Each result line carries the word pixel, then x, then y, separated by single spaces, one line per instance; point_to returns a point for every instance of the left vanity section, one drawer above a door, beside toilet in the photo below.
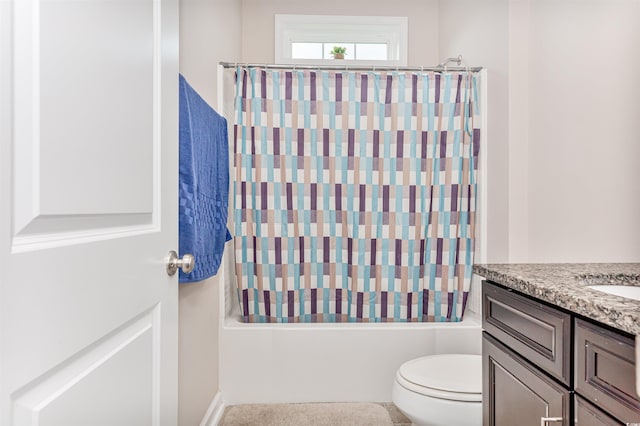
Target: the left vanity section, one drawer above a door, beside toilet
pixel 524 343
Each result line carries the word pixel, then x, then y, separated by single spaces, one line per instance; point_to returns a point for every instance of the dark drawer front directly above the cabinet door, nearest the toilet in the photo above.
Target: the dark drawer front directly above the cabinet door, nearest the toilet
pixel 537 332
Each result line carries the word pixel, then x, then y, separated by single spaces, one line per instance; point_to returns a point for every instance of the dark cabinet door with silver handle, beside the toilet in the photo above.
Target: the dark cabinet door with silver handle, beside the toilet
pixel 516 393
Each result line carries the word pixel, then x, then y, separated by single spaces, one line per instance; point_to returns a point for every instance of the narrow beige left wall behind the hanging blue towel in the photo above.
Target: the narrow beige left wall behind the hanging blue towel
pixel 210 32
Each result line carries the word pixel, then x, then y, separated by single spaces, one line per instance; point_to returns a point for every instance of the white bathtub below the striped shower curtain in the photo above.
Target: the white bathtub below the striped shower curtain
pixel 269 363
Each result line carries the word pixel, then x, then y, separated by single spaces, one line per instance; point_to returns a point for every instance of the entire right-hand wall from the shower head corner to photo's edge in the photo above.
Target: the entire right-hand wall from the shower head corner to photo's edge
pixel 563 124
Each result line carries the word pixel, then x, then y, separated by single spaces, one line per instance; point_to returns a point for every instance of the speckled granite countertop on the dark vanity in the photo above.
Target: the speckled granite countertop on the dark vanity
pixel 565 285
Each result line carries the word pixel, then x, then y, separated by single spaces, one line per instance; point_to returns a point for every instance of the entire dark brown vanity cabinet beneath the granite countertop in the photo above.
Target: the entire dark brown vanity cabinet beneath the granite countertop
pixel 545 366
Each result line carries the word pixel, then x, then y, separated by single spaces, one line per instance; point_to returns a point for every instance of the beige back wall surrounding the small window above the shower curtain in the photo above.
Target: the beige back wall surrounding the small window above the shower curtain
pixel 258 23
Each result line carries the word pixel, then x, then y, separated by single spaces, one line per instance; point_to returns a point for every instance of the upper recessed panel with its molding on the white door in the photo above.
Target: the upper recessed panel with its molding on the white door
pixel 65 172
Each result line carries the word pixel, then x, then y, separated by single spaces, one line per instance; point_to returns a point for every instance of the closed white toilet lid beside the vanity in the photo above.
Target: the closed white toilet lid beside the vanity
pixel 456 373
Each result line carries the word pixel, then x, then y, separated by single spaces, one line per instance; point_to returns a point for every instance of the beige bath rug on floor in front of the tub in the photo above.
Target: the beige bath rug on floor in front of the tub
pixel 317 414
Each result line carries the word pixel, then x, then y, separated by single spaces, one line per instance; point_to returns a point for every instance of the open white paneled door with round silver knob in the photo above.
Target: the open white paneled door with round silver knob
pixel 88 212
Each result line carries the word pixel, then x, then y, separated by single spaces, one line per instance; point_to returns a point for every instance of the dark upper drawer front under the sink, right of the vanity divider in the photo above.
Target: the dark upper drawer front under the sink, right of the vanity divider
pixel 605 370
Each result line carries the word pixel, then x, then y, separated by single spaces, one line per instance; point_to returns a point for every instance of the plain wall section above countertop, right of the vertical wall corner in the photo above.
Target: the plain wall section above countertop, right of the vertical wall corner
pixel 584 123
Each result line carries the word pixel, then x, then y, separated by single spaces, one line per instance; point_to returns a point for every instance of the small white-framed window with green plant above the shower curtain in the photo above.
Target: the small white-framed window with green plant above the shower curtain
pixel 369 40
